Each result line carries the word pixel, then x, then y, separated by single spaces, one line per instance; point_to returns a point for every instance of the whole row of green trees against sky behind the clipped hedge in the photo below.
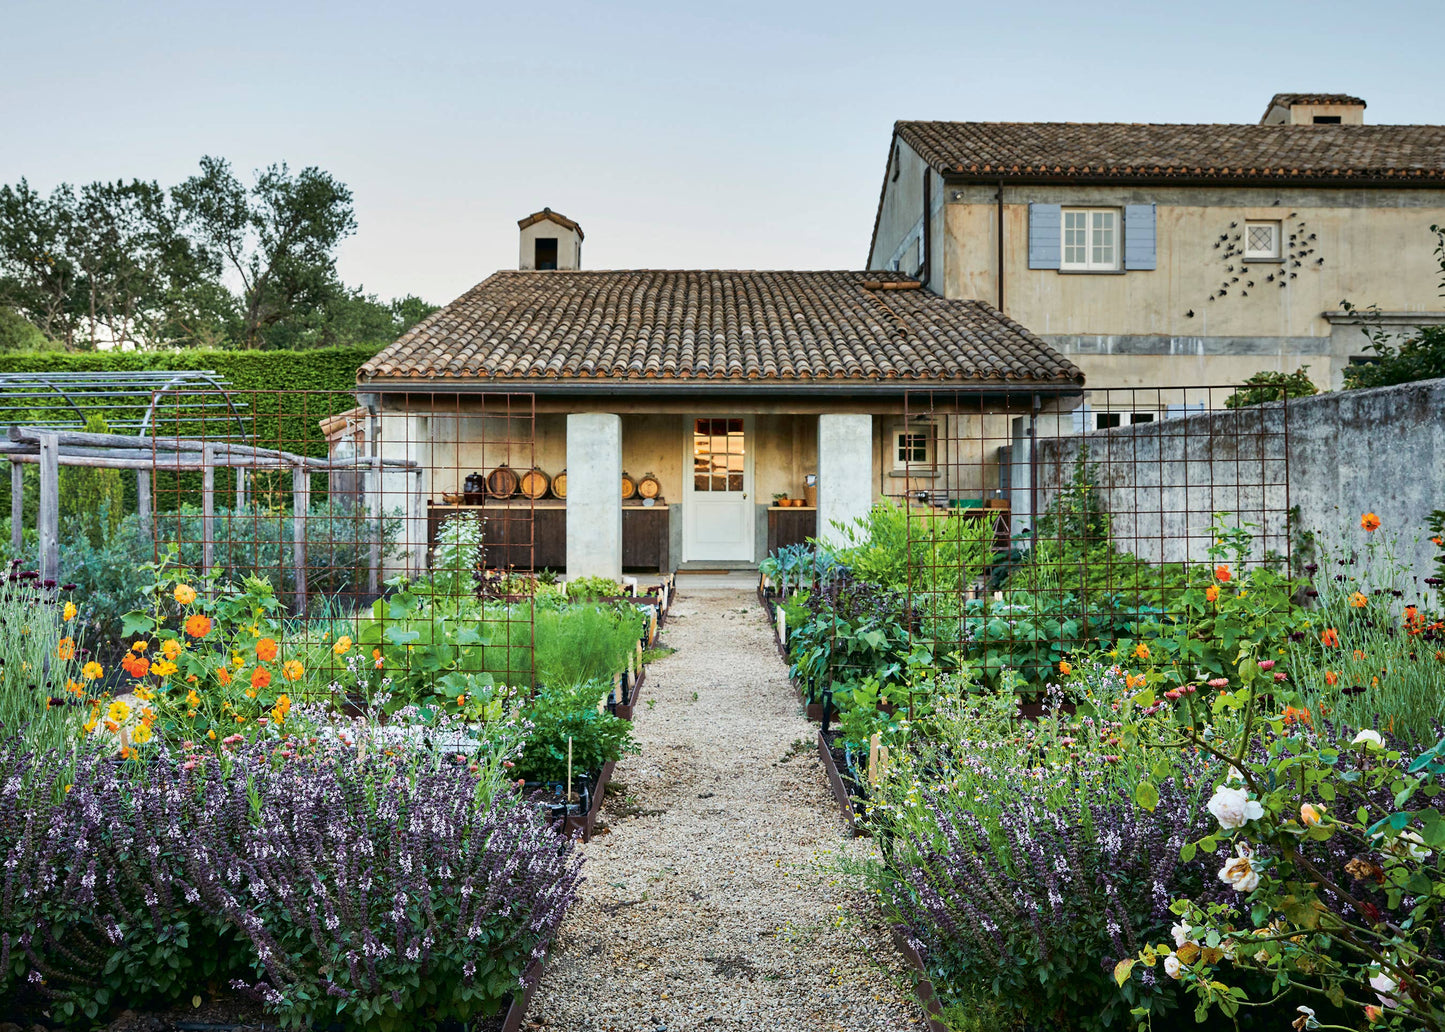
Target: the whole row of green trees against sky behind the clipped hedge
pixel 207 262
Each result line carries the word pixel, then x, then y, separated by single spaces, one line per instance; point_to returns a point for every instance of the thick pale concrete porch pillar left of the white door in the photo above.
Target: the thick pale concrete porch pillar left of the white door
pixel 595 495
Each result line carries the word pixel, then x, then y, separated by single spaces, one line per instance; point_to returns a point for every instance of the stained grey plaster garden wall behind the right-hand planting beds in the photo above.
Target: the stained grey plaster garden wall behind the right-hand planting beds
pixel 1349 453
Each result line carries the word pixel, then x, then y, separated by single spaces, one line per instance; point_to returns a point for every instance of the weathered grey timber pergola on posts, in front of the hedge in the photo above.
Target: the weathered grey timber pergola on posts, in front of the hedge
pixel 51 449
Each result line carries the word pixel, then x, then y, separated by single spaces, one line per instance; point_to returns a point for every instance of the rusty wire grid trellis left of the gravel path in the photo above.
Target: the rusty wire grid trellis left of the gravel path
pixel 392 573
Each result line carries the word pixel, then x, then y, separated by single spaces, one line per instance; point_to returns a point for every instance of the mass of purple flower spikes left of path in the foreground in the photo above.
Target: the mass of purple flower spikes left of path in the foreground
pixel 332 884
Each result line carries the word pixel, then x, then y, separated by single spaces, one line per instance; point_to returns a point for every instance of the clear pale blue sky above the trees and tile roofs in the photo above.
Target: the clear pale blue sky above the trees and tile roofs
pixel 725 135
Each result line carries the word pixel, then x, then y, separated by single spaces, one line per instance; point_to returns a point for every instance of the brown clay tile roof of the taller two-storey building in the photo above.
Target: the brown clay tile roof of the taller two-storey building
pixel 1158 152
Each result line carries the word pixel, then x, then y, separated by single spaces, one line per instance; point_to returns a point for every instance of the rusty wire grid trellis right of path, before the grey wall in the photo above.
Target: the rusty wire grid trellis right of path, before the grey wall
pixel 1043 528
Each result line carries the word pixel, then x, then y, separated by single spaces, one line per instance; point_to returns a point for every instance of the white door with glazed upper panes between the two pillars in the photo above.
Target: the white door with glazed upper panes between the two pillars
pixel 717 489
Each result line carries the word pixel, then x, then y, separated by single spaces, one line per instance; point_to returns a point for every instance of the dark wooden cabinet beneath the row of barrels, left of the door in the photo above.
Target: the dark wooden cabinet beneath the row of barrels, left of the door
pixel 532 536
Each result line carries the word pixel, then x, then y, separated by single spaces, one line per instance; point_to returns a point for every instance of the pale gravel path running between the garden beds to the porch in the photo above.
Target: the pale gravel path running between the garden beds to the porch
pixel 707 903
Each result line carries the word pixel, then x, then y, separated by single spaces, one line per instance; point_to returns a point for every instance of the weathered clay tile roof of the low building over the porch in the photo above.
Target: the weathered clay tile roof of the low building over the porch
pixel 759 327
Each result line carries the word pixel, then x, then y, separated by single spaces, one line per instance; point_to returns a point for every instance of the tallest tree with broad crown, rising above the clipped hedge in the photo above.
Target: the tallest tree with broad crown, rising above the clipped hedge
pixel 280 238
